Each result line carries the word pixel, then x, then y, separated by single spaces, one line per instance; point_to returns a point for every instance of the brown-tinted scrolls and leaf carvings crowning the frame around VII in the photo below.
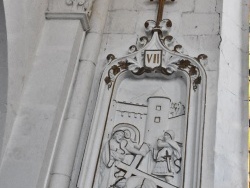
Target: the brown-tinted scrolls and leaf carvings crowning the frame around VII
pixel 169 43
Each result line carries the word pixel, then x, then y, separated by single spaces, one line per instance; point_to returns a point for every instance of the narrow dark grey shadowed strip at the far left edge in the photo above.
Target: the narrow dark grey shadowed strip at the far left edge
pixel 3 74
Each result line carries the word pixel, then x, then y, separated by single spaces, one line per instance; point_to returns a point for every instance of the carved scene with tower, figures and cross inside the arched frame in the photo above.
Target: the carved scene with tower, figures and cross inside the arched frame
pixel 143 136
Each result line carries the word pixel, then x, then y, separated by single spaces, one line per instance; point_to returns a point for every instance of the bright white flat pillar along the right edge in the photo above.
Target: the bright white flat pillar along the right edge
pixel 232 112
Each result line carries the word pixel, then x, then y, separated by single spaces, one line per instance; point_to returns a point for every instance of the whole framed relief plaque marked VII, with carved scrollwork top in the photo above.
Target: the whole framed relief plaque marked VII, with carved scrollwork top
pixel 147 129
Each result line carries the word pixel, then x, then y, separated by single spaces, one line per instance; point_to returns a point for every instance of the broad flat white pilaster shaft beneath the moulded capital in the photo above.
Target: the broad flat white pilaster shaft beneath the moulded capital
pixel 42 104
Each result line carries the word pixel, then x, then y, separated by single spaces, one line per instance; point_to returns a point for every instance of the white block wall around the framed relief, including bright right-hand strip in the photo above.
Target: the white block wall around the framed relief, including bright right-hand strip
pixel 219 30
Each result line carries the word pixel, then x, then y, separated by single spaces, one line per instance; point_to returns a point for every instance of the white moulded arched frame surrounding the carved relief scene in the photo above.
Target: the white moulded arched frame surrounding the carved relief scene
pixel 181 65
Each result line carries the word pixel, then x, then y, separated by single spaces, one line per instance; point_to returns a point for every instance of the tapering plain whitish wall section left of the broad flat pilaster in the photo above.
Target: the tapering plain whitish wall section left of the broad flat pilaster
pixel 24 22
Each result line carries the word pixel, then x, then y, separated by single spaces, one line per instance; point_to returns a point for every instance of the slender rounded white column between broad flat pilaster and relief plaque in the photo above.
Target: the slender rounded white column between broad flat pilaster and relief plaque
pixel 67 144
